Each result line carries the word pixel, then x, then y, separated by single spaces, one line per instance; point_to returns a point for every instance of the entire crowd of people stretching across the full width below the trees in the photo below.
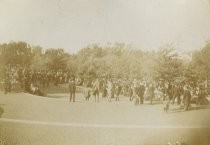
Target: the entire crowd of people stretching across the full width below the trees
pixel 137 90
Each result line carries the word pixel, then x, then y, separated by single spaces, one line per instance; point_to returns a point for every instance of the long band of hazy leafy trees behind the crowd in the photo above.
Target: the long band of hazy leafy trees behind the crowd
pixel 117 60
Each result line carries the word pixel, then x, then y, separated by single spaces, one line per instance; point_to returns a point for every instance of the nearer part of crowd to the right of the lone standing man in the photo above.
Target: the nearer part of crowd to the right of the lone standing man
pixel 139 90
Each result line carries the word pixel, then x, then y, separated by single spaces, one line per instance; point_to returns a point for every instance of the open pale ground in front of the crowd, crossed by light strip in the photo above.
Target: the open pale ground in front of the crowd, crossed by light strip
pixel 32 120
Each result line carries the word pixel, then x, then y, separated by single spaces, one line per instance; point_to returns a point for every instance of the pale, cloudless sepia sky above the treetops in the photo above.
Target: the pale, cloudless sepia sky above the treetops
pixel 74 24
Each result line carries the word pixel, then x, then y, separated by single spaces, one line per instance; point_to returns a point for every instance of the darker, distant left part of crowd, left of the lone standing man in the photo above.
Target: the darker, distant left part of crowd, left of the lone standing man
pixel 30 80
